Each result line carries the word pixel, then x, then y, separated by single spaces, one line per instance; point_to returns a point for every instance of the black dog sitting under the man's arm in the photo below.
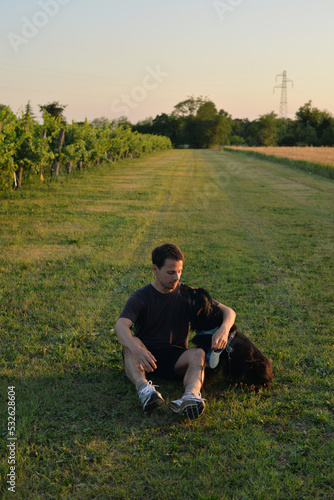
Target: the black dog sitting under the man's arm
pixel 241 361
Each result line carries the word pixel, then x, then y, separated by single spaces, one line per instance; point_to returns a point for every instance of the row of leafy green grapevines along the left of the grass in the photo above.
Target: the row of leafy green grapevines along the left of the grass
pixel 28 148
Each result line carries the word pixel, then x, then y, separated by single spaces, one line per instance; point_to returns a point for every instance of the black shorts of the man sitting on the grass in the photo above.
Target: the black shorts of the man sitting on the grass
pixel 167 358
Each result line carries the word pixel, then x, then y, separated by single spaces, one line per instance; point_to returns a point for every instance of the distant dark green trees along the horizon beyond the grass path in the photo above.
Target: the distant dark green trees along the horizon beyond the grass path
pixel 196 123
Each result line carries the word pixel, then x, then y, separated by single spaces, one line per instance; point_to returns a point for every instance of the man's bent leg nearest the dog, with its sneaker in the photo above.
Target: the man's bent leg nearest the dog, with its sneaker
pixel 191 365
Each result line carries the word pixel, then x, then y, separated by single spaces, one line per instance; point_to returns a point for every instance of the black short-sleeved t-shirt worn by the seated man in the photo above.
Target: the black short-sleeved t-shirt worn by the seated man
pixel 160 319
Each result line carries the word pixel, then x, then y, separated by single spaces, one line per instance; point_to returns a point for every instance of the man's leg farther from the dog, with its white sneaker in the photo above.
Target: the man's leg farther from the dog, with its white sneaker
pixel 150 398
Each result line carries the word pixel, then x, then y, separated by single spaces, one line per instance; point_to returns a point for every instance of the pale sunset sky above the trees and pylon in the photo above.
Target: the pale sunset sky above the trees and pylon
pixel 139 58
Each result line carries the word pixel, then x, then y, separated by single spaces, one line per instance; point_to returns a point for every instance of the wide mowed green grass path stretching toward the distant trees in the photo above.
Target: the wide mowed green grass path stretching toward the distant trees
pixel 259 237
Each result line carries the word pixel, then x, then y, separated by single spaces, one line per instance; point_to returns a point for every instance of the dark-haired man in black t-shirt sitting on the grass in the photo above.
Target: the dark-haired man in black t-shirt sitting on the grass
pixel 160 342
